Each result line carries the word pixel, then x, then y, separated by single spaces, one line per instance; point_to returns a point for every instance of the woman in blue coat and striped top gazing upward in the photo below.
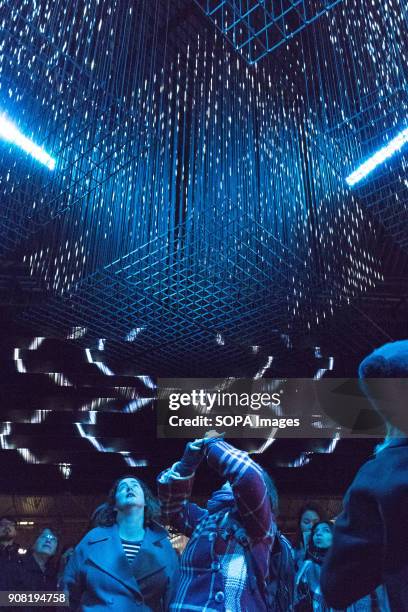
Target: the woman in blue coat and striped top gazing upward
pixel 126 562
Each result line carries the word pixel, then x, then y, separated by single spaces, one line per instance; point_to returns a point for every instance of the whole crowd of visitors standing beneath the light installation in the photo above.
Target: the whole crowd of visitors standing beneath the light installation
pixel 236 558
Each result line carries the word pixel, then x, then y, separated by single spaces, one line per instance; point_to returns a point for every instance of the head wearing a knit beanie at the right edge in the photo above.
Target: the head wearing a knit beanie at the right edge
pixel 388 397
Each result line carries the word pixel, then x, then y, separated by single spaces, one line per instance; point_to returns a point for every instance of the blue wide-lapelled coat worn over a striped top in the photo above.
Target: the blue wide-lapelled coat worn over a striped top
pixel 99 577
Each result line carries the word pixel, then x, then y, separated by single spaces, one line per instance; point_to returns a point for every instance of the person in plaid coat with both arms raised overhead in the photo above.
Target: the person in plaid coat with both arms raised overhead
pixel 215 575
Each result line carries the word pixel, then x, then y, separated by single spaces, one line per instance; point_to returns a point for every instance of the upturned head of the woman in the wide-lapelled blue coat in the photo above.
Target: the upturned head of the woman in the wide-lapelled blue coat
pixel 127 493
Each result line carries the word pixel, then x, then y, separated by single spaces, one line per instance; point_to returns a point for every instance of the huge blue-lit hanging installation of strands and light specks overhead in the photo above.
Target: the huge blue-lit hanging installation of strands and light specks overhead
pixel 189 181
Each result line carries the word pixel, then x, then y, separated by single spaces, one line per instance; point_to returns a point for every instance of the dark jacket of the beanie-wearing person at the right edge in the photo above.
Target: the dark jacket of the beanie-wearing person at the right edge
pixel 370 545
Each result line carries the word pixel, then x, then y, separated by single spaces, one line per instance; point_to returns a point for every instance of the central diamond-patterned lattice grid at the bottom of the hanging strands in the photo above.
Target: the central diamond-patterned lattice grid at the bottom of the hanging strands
pixel 219 294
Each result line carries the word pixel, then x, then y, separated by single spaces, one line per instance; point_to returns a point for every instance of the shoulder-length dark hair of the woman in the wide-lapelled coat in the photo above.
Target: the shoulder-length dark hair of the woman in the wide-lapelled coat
pixel 105 514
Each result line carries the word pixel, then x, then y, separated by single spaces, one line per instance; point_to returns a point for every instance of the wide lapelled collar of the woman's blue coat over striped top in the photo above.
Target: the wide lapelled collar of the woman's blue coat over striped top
pixel 106 552
